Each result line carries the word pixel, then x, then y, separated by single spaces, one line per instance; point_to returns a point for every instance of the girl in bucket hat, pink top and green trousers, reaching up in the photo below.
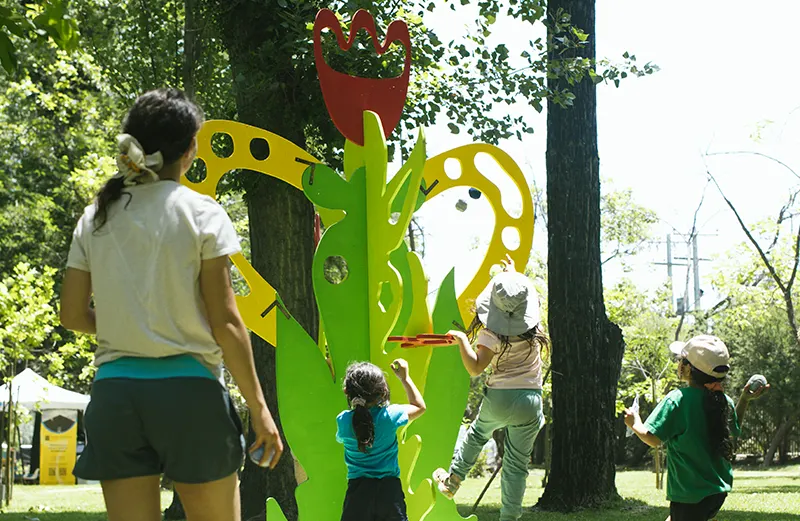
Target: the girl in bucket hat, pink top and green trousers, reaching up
pixel 510 338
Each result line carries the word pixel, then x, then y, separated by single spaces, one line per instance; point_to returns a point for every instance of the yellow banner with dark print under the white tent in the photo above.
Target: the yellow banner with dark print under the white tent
pixel 59 439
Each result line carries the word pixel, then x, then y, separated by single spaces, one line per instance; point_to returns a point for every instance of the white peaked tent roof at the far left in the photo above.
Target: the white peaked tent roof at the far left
pixel 34 392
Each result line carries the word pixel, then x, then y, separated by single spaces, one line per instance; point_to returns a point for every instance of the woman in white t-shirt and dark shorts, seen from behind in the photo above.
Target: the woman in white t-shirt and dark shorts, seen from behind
pixel 152 255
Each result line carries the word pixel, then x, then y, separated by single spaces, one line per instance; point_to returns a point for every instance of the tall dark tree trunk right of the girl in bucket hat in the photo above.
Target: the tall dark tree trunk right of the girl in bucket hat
pixel 587 347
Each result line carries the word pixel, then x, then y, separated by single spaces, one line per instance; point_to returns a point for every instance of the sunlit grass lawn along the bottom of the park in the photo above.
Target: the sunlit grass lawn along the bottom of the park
pixel 757 496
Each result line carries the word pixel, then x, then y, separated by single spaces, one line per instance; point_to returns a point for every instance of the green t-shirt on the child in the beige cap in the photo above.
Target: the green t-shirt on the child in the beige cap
pixel 693 472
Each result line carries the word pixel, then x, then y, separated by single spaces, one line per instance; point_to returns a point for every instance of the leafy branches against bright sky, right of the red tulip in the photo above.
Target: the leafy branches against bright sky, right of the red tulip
pixel 480 84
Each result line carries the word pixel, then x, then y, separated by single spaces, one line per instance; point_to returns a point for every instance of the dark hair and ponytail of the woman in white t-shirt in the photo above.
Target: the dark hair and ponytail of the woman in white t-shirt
pixel 162 120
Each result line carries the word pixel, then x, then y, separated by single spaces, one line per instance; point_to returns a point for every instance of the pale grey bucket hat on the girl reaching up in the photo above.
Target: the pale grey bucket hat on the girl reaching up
pixel 509 305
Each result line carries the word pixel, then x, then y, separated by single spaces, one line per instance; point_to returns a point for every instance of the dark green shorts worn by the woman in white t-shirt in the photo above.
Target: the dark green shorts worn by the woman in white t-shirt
pixel 185 428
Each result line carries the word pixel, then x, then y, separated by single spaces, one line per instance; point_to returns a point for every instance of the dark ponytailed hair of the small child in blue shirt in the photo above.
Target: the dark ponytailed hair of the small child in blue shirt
pixel 365 387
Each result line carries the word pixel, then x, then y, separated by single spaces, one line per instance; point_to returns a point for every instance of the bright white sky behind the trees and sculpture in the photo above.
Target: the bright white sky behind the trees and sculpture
pixel 727 74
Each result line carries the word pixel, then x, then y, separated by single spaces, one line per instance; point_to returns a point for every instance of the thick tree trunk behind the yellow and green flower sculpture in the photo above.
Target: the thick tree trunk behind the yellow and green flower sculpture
pixel 281 218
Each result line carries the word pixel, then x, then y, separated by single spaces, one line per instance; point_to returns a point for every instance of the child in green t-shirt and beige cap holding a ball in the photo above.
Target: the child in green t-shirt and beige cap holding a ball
pixel 696 423
